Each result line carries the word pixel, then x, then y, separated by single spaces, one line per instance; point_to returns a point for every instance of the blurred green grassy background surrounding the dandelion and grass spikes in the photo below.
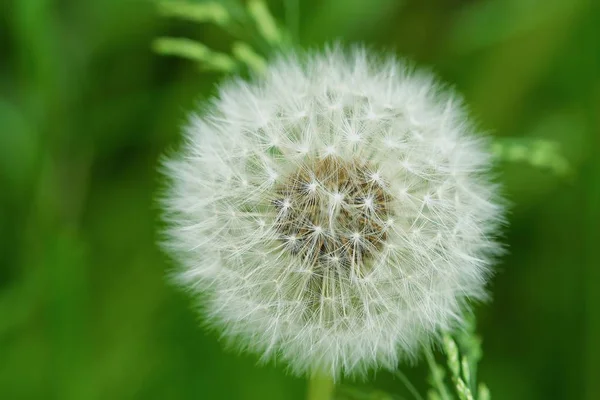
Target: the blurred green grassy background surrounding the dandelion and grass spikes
pixel 86 110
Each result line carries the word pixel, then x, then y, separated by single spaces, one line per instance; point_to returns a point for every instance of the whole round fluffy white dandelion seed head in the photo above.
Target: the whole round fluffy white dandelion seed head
pixel 335 213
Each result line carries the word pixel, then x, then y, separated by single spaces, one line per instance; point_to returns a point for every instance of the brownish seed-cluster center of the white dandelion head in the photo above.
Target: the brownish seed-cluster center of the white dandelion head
pixel 331 210
